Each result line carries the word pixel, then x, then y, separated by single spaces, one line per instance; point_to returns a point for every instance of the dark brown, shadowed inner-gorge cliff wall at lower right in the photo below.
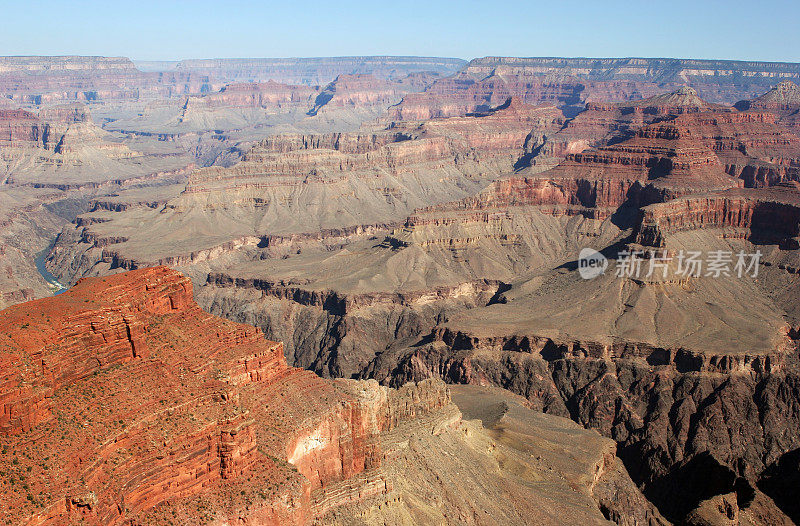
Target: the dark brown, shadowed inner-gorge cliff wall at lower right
pixel 685 436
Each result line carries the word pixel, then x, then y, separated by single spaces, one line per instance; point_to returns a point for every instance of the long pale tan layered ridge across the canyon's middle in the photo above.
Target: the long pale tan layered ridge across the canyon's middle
pixel 293 184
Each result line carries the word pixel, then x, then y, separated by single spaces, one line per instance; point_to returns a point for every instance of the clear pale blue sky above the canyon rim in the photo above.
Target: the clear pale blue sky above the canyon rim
pixel 147 30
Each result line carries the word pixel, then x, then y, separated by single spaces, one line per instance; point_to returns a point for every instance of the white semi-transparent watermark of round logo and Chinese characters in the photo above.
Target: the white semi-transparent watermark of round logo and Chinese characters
pixel 683 264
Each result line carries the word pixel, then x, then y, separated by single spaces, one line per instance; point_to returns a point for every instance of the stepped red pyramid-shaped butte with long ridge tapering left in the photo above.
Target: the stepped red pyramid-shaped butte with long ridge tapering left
pixel 657 164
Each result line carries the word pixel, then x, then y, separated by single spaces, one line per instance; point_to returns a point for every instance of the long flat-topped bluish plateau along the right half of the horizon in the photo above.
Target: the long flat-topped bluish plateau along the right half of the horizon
pixel 571 82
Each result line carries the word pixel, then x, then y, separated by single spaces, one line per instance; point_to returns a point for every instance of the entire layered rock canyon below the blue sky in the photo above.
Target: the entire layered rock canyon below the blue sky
pixel 410 231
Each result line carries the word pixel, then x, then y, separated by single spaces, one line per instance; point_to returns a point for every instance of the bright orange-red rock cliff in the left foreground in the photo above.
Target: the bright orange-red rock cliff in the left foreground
pixel 121 399
